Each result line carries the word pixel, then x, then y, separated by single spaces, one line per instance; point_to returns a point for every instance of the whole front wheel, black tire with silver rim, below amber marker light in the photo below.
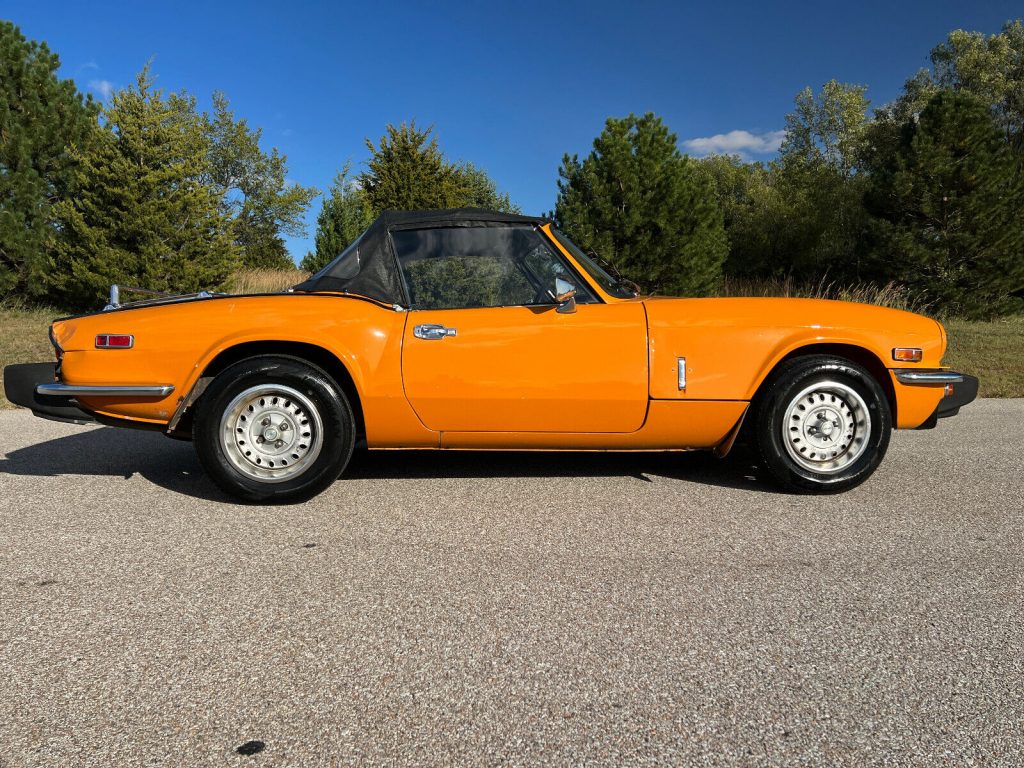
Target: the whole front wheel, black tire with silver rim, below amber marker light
pixel 829 412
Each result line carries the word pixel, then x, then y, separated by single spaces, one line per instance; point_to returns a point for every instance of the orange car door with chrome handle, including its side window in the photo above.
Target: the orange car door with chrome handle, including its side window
pixel 486 349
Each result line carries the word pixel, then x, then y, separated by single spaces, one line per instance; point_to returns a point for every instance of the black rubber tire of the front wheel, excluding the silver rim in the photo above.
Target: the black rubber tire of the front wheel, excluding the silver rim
pixel 773 410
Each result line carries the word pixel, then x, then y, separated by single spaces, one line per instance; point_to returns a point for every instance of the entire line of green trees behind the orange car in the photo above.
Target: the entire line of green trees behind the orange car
pixel 148 190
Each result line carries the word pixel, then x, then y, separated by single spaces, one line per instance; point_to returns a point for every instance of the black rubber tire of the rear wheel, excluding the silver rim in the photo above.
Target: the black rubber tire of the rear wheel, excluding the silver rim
pixel 336 417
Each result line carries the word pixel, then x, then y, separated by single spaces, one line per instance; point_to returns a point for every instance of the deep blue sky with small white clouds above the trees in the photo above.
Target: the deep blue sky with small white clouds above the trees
pixel 509 88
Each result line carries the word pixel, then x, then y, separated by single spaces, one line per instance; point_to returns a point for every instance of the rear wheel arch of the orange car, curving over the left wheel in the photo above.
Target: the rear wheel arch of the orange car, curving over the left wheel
pixel 324 359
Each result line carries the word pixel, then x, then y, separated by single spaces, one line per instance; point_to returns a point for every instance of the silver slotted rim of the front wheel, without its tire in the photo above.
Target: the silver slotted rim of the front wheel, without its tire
pixel 827 428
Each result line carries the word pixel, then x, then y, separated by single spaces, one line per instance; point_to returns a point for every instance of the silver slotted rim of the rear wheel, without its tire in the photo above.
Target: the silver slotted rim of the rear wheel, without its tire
pixel 272 434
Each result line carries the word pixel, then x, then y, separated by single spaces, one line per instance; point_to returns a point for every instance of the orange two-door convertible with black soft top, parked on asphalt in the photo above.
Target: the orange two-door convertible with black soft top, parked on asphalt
pixel 467 329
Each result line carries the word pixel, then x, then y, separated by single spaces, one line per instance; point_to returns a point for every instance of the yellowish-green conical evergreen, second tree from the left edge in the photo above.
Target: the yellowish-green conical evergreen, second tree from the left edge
pixel 142 212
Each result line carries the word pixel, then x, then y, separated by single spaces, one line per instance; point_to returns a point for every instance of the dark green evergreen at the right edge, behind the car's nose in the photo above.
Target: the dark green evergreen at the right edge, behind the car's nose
pixel 953 198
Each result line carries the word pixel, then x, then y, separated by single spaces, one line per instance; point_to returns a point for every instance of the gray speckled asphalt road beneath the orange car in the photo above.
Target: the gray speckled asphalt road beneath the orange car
pixel 501 609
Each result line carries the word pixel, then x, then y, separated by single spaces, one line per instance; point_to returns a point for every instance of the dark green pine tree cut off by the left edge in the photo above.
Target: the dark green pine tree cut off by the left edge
pixel 44 120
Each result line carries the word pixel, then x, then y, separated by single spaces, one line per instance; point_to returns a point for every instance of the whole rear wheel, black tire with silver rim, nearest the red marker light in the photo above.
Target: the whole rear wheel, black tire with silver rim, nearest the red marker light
pixel 296 404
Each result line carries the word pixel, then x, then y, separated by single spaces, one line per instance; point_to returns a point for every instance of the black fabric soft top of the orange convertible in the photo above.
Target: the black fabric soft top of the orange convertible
pixel 369 267
